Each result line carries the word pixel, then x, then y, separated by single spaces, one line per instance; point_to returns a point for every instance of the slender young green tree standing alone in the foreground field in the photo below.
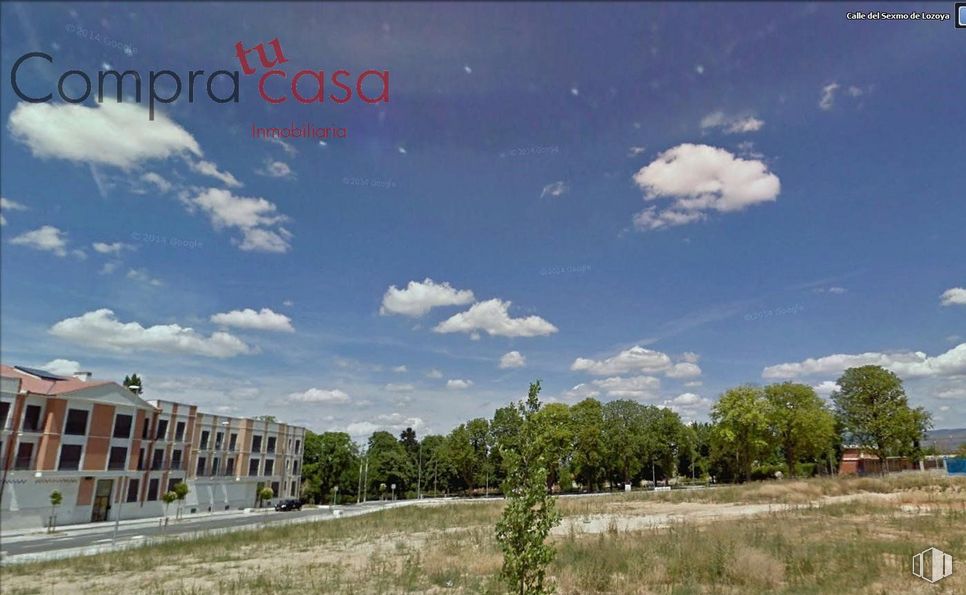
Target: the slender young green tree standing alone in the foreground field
pixel 530 512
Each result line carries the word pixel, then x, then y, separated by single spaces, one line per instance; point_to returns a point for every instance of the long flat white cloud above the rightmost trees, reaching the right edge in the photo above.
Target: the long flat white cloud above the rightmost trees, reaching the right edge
pixel 905 364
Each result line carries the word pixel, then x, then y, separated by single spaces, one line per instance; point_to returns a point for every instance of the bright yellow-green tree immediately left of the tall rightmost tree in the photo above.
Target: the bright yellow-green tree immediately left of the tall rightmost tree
pixel 801 423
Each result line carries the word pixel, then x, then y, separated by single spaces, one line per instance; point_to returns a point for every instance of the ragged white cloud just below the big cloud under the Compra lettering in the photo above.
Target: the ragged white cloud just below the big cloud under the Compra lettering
pixel 257 219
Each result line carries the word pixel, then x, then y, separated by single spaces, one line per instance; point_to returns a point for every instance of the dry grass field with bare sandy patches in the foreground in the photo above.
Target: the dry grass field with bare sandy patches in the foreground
pixel 813 536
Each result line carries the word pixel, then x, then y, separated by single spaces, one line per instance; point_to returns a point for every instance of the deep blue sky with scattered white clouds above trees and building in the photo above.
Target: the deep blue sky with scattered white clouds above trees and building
pixel 645 201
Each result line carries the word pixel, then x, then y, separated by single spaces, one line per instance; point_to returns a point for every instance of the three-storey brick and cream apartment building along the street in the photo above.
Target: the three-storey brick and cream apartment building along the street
pixel 112 454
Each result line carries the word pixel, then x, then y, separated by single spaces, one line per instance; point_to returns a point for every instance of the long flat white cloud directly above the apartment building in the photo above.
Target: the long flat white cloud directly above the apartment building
pixel 101 329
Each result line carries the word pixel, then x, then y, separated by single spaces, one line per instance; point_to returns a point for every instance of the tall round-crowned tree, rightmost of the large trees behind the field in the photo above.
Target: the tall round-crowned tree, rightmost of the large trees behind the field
pixel 873 411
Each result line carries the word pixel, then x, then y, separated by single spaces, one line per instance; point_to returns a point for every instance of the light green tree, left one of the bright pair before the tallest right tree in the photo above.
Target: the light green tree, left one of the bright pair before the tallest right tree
pixel 741 433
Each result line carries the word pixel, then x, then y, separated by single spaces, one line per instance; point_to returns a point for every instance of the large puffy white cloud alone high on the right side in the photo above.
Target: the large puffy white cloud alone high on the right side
pixel 701 178
